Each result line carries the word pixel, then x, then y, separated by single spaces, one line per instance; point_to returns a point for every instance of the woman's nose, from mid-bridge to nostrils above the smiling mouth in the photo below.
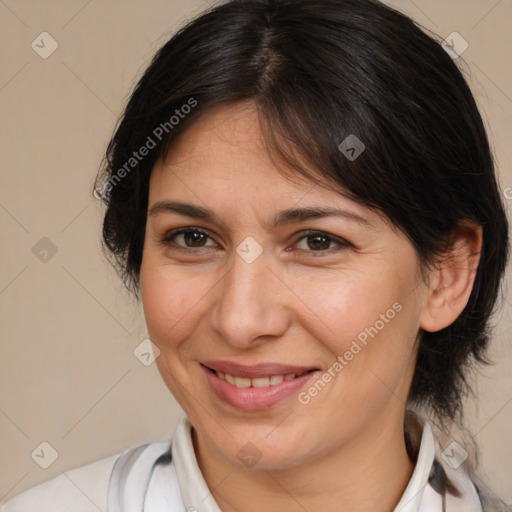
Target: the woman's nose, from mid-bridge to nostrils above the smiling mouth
pixel 250 304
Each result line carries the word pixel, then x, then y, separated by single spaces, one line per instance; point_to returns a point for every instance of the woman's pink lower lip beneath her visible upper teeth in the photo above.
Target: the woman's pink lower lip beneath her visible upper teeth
pixel 253 399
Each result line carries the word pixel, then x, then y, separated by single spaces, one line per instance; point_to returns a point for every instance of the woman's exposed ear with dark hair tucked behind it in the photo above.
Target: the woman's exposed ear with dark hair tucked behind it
pixel 451 282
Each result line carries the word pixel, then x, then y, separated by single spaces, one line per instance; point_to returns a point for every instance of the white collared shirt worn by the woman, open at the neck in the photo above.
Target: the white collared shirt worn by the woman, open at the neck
pixel 135 481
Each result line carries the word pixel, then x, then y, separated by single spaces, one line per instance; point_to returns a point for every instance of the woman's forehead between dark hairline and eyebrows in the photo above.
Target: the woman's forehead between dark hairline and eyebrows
pixel 222 162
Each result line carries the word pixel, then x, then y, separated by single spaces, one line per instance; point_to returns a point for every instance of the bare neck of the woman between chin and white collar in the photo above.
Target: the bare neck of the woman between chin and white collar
pixel 370 472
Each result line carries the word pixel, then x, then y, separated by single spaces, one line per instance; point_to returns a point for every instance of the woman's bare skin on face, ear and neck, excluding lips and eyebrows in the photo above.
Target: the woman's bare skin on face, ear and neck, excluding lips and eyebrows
pixel 295 304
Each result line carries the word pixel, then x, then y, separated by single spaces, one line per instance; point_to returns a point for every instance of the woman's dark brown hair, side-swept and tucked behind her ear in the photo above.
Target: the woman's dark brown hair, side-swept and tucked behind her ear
pixel 318 71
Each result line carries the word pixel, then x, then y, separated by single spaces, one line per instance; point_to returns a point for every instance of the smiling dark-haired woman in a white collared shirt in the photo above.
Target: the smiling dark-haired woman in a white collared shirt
pixel 303 196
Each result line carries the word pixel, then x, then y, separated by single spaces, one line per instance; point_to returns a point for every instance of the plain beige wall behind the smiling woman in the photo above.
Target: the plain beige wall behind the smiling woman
pixel 68 375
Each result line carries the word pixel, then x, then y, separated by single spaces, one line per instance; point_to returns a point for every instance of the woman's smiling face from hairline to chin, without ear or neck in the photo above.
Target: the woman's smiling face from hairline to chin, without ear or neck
pixel 260 277
